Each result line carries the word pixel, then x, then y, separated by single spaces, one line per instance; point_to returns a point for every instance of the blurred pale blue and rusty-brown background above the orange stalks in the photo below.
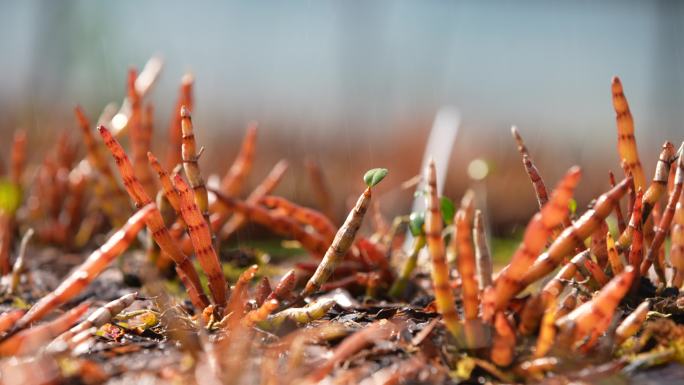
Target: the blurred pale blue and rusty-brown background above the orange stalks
pixel 356 84
